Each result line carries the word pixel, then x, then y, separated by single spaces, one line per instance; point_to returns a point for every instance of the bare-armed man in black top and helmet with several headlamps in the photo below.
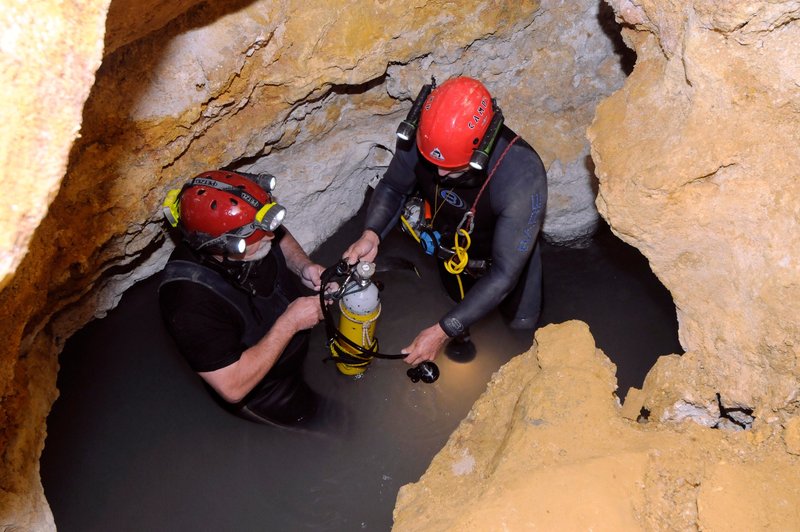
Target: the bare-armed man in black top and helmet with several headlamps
pixel 229 299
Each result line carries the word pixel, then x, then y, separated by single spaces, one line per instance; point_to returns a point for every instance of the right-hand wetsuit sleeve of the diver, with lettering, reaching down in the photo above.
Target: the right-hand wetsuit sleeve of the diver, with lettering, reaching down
pixel 518 197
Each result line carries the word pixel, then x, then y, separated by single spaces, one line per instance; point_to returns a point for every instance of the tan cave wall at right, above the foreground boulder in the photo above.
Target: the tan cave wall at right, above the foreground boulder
pixel 698 159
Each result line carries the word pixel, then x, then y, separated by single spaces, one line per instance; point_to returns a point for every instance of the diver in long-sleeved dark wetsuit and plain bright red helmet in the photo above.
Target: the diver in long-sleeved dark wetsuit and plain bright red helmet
pixel 500 207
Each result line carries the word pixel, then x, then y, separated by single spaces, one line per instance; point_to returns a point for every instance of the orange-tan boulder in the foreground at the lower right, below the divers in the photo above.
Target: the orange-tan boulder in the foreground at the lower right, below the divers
pixel 545 448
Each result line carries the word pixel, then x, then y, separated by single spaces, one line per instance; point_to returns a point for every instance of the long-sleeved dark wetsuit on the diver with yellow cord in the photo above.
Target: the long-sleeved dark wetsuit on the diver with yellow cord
pixel 509 216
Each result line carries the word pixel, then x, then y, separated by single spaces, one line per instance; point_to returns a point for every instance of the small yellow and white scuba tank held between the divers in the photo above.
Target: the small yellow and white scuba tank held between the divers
pixel 360 307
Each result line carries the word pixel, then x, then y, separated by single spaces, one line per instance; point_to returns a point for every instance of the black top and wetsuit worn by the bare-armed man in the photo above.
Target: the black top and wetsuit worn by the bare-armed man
pixel 216 311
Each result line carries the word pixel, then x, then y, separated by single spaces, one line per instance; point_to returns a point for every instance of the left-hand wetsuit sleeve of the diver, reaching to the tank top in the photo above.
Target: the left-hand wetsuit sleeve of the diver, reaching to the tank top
pixel 390 194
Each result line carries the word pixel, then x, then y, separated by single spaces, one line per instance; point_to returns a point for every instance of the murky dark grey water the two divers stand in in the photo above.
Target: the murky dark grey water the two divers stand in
pixel 135 442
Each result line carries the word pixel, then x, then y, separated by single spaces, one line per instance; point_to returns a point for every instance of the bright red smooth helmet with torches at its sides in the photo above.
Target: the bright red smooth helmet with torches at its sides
pixel 454 119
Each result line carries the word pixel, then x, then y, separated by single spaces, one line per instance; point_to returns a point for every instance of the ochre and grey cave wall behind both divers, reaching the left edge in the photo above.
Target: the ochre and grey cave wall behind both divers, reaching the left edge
pixel 309 91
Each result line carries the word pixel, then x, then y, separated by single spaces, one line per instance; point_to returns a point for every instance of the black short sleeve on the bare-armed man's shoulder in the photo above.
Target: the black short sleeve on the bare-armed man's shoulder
pixel 206 329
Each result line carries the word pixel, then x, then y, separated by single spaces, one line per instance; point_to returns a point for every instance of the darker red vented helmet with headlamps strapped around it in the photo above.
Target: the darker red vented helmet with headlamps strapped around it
pixel 220 209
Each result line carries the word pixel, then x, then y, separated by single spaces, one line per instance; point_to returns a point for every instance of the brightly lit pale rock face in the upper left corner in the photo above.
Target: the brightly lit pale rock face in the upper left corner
pixel 50 52
